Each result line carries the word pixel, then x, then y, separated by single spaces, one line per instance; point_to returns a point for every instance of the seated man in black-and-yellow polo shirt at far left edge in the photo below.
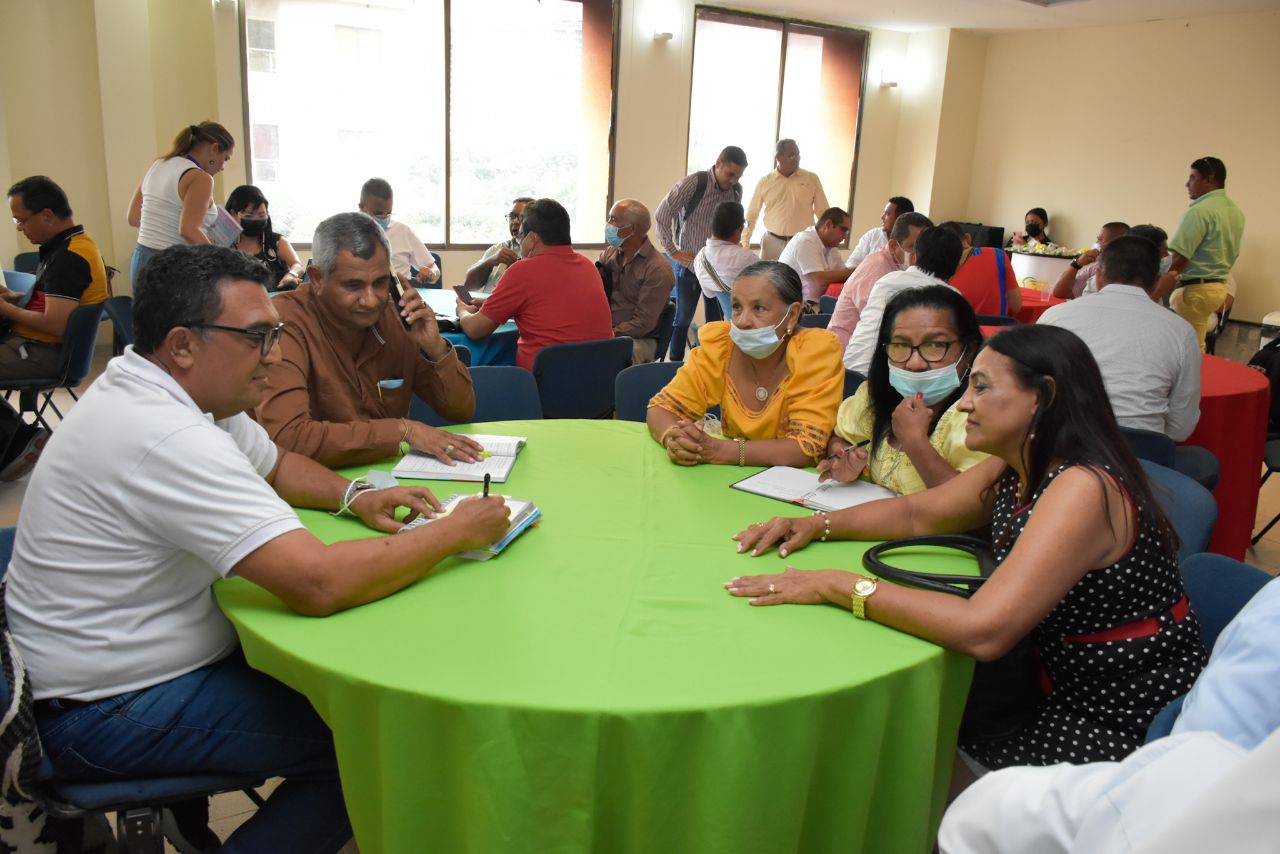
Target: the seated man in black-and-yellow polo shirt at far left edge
pixel 71 275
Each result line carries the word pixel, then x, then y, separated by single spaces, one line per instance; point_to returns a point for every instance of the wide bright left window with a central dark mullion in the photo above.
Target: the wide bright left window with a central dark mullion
pixel 451 120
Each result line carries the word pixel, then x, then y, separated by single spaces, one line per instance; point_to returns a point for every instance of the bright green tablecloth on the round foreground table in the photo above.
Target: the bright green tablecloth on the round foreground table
pixel 596 689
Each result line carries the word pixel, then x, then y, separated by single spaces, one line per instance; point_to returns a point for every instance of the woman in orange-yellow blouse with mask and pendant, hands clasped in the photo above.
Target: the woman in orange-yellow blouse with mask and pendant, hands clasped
pixel 778 385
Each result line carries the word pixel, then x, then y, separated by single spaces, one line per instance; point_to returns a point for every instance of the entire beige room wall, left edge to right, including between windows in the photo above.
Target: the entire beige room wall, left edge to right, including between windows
pixel 1110 139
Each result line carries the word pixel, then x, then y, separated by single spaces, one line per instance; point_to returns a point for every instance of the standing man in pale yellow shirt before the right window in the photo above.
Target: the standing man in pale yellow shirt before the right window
pixel 792 198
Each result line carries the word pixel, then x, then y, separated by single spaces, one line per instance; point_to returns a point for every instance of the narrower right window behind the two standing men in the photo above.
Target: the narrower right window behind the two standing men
pixel 761 80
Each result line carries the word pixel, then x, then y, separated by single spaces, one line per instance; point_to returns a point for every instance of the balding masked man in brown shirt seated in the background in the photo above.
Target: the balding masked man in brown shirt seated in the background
pixel 642 277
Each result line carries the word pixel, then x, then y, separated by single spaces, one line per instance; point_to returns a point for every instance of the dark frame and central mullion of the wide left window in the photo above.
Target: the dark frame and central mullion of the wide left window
pixel 447 22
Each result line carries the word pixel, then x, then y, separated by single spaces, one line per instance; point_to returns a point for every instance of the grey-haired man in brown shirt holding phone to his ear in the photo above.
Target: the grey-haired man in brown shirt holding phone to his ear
pixel 349 369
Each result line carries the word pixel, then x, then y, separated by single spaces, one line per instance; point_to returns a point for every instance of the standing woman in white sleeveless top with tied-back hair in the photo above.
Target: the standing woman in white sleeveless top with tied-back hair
pixel 176 198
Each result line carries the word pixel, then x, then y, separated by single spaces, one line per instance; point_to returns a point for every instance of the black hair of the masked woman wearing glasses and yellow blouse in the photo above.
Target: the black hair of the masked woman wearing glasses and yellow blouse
pixel 884 398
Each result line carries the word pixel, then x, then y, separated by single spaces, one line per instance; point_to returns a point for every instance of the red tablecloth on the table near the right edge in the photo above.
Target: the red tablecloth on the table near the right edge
pixel 1235 404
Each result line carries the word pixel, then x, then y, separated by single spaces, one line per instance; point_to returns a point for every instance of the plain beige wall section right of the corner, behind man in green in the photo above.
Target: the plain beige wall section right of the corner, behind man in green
pixel 1124 112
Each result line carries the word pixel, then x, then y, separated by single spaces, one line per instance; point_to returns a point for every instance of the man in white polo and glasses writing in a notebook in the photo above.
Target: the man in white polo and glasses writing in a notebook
pixel 157 486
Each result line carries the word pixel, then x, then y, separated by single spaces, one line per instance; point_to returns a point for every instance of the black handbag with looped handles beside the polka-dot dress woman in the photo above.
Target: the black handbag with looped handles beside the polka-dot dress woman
pixel 1005 692
